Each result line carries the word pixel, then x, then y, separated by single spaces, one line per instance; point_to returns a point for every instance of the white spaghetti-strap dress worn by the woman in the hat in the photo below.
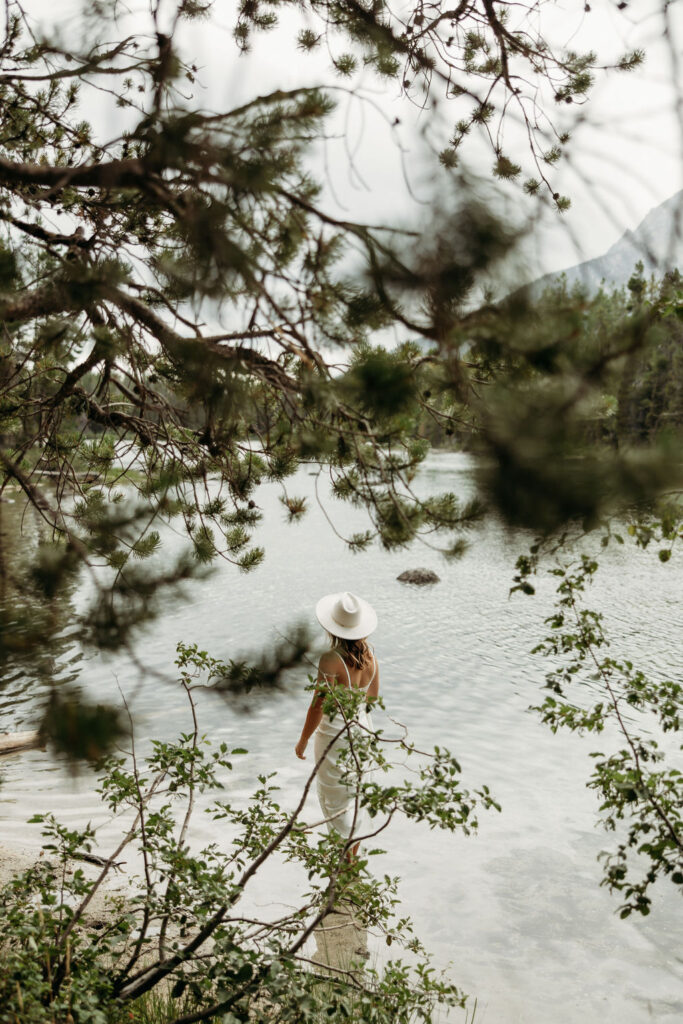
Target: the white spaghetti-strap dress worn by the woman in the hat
pixel 338 798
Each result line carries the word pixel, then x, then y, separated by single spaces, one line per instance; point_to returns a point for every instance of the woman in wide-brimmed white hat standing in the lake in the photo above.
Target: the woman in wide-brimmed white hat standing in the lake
pixel 351 663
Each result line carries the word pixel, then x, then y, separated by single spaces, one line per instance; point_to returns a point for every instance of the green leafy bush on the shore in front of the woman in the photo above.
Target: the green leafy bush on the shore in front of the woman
pixel 177 947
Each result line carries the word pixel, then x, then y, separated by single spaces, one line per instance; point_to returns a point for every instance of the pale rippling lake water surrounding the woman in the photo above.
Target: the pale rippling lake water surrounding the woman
pixel 517 912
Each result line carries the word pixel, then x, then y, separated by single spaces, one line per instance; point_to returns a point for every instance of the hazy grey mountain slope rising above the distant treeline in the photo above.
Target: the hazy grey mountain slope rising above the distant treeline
pixel 658 242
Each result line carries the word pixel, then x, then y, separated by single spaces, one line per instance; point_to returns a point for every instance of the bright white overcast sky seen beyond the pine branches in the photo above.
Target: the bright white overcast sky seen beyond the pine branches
pixel 626 158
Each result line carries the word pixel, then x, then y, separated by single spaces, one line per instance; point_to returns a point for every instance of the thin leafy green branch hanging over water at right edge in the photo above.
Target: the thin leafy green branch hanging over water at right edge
pixel 634 784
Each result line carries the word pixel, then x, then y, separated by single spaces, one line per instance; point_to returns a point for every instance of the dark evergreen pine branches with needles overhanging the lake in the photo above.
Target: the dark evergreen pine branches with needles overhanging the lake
pixel 120 410
